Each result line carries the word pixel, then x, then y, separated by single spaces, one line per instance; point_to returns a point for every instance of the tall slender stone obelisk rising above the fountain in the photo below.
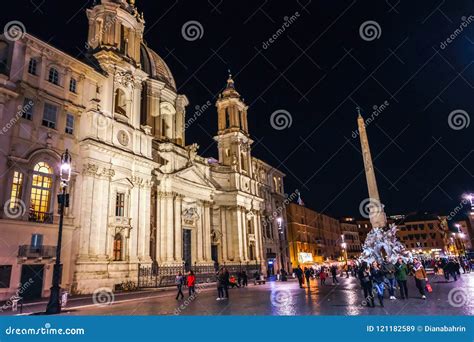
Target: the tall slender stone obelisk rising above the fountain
pixel 376 214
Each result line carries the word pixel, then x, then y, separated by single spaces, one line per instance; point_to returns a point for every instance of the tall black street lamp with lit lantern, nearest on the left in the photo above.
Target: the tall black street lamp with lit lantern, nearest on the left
pixel 54 304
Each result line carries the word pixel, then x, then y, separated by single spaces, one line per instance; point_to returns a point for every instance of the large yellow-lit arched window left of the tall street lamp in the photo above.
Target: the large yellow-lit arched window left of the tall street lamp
pixel 40 199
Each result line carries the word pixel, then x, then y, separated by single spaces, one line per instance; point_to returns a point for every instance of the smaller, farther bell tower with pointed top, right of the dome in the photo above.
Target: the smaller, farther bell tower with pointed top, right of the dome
pixel 232 136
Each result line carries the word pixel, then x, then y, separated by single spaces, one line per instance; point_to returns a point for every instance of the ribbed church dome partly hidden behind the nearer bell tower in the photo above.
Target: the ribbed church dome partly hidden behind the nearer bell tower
pixel 155 66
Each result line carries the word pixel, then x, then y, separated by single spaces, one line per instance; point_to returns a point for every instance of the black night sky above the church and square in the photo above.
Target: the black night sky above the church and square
pixel 318 70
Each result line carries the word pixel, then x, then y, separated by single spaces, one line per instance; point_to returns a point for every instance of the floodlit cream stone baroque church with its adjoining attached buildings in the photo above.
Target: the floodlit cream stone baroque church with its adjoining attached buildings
pixel 139 196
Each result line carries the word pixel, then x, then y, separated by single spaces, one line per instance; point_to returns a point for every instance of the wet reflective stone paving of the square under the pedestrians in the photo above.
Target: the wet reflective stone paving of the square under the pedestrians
pixel 286 298
